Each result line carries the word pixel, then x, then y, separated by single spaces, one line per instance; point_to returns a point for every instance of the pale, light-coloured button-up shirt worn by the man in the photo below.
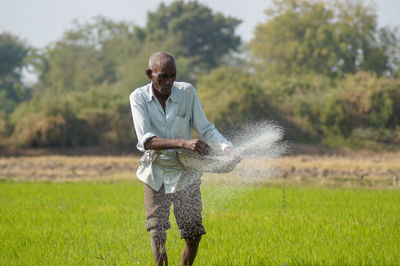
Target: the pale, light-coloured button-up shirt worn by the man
pixel 182 113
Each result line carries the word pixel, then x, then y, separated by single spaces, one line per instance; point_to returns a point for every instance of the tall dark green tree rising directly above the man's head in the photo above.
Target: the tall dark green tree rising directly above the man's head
pixel 192 30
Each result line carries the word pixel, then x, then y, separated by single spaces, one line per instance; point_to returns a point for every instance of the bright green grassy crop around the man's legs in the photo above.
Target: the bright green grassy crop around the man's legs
pixel 84 223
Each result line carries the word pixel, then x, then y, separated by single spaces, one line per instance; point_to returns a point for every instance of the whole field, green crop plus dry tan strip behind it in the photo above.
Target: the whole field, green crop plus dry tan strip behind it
pixel 303 210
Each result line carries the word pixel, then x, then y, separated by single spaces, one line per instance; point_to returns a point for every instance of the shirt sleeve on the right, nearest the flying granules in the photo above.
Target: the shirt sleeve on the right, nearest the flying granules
pixel 207 131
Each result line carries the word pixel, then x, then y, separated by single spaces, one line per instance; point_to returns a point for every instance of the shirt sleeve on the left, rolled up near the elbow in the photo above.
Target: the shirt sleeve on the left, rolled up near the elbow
pixel 141 121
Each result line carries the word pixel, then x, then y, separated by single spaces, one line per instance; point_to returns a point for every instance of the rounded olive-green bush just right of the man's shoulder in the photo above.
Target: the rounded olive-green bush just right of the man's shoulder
pixel 239 97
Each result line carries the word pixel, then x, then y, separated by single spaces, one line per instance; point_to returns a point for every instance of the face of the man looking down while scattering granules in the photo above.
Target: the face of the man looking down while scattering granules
pixel 163 76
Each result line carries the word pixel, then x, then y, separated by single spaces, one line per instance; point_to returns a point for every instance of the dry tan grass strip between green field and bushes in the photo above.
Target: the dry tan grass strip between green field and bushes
pixel 326 170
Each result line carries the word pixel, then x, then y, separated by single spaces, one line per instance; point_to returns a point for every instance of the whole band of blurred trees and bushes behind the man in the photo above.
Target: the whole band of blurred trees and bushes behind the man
pixel 325 72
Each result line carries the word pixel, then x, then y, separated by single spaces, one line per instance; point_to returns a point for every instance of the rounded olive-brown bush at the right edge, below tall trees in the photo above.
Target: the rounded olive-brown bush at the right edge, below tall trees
pixel 362 101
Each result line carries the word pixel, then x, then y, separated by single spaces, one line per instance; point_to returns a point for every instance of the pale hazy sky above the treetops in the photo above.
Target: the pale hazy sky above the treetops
pixel 41 22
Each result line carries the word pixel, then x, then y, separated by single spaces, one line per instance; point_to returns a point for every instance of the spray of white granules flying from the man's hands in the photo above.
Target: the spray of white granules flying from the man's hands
pixel 259 145
